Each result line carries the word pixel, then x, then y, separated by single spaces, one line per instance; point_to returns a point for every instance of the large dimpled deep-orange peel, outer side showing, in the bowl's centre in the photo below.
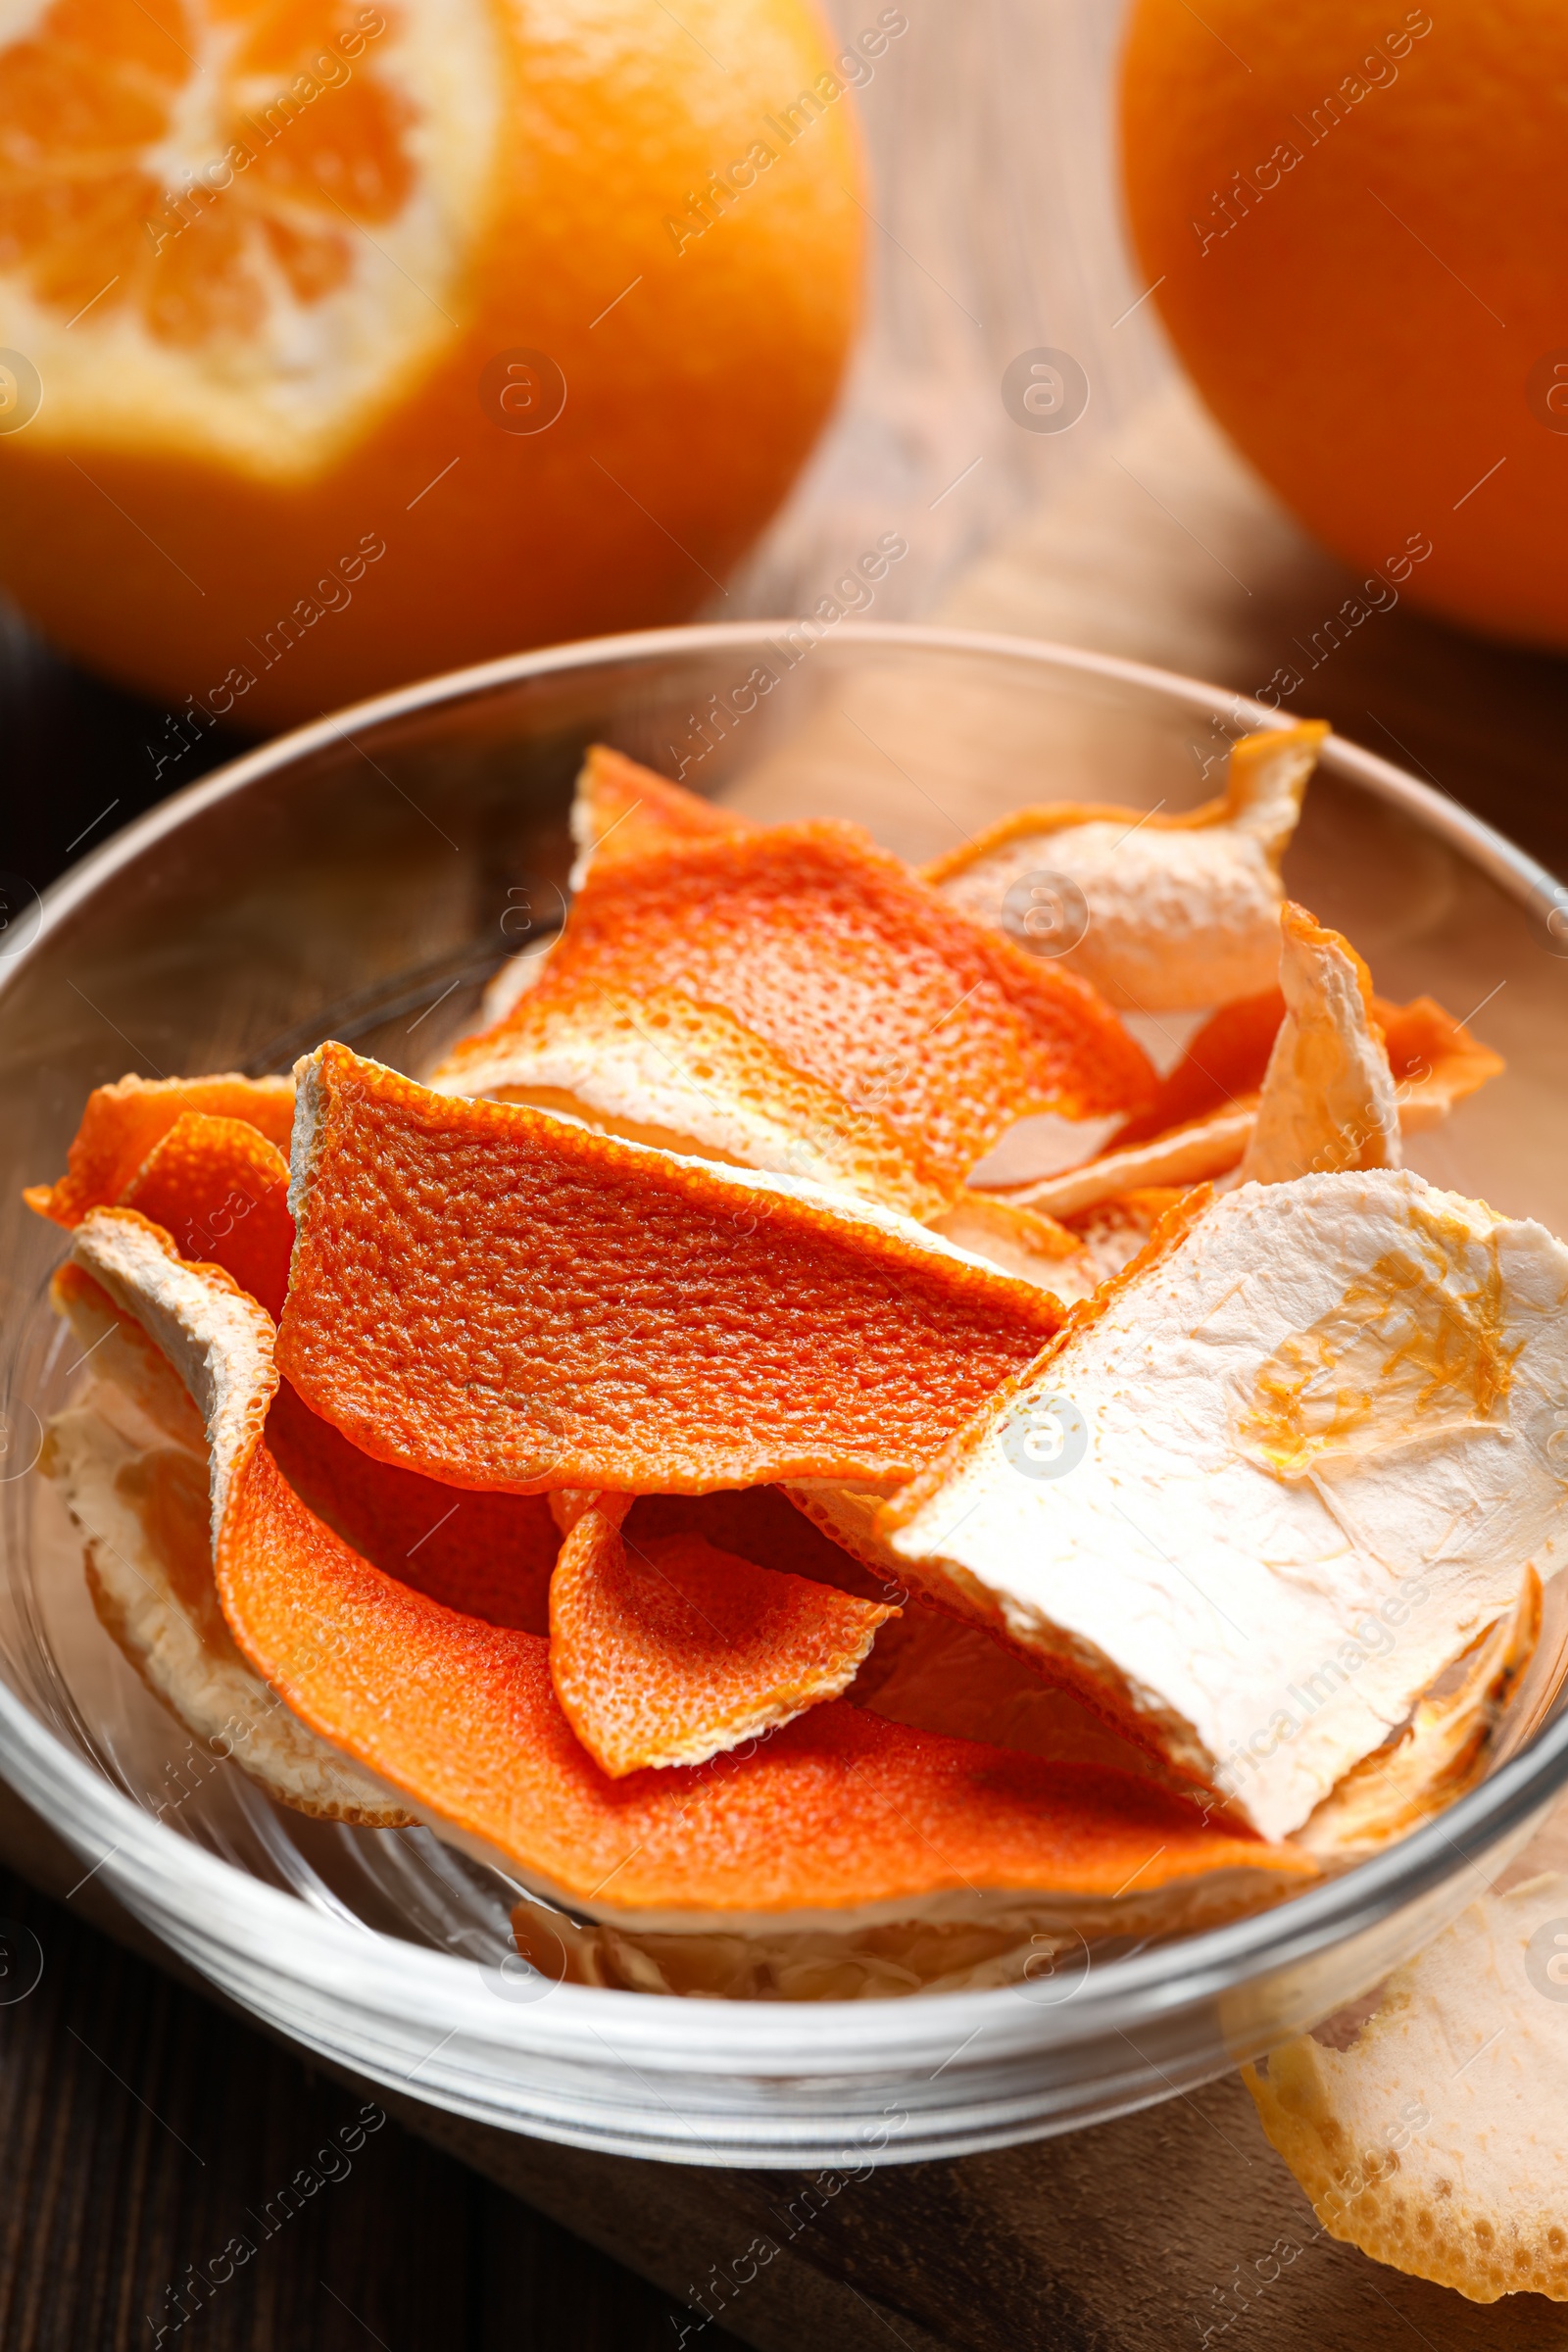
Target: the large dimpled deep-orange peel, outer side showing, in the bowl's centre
pixel 500 1299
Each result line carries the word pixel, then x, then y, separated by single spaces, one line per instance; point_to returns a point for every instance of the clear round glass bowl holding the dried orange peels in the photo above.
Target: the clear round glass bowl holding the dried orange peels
pixel 363 878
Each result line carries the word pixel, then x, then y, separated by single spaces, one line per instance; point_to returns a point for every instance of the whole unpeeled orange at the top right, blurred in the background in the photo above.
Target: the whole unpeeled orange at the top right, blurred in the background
pixel 1355 215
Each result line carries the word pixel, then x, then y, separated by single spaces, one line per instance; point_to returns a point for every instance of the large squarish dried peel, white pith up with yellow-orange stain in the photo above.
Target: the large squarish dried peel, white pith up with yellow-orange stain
pixel 1235 1608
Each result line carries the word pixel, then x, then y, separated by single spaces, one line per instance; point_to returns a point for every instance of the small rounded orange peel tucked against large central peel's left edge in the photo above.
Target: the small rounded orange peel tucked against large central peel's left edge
pixel 222 1191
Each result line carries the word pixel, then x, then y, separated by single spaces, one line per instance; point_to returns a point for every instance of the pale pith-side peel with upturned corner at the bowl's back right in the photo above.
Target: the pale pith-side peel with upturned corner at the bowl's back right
pixel 1177 911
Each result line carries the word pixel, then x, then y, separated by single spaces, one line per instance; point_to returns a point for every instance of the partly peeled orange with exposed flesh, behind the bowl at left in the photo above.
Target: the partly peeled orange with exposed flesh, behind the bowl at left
pixel 354 340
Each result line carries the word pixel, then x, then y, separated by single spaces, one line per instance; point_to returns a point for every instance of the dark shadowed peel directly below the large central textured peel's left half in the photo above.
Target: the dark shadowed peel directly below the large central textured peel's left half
pixel 483 1553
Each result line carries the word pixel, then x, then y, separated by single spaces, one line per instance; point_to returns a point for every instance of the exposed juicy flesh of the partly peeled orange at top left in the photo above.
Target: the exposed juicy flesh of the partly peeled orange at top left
pixel 98 88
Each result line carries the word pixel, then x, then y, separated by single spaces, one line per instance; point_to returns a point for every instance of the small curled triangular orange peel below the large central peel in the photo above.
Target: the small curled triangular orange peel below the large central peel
pixel 671 1652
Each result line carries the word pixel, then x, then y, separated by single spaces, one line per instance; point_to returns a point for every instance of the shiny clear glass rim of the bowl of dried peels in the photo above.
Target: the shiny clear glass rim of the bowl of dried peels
pixel 163 1878
